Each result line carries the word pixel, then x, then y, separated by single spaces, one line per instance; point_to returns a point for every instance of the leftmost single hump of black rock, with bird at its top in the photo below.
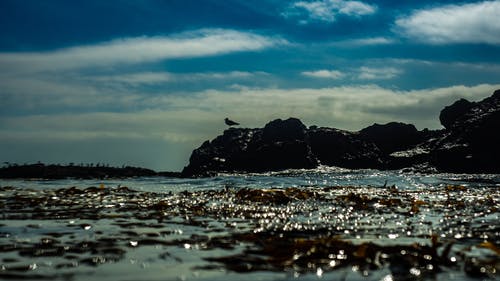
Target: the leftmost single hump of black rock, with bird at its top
pixel 281 144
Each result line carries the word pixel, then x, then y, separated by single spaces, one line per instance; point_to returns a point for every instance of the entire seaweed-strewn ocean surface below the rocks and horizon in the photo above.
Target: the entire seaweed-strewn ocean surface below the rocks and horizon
pixel 327 223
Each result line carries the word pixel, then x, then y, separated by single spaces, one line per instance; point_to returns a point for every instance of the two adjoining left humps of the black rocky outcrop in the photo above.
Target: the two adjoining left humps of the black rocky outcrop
pixel 281 144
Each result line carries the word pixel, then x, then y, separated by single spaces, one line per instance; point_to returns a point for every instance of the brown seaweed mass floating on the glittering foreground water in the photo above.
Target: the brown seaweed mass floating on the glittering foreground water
pixel 307 230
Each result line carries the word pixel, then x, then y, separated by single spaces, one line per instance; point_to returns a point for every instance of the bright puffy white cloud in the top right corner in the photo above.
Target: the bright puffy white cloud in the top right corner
pixel 467 23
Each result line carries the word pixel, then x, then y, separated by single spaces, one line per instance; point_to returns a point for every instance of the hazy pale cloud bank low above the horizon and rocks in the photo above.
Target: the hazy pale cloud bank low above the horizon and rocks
pixel 180 122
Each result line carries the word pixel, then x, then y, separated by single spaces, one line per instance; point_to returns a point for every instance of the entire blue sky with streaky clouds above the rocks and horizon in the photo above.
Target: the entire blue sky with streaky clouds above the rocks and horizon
pixel 143 83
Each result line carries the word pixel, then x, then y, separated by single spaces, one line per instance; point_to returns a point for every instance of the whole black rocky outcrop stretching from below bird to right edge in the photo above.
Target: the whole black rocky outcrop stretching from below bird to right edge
pixel 469 143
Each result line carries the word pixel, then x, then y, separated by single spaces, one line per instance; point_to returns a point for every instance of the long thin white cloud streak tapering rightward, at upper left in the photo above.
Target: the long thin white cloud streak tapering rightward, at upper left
pixel 205 42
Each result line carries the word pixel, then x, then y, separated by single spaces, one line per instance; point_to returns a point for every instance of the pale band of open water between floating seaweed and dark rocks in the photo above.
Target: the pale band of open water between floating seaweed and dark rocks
pixel 321 177
